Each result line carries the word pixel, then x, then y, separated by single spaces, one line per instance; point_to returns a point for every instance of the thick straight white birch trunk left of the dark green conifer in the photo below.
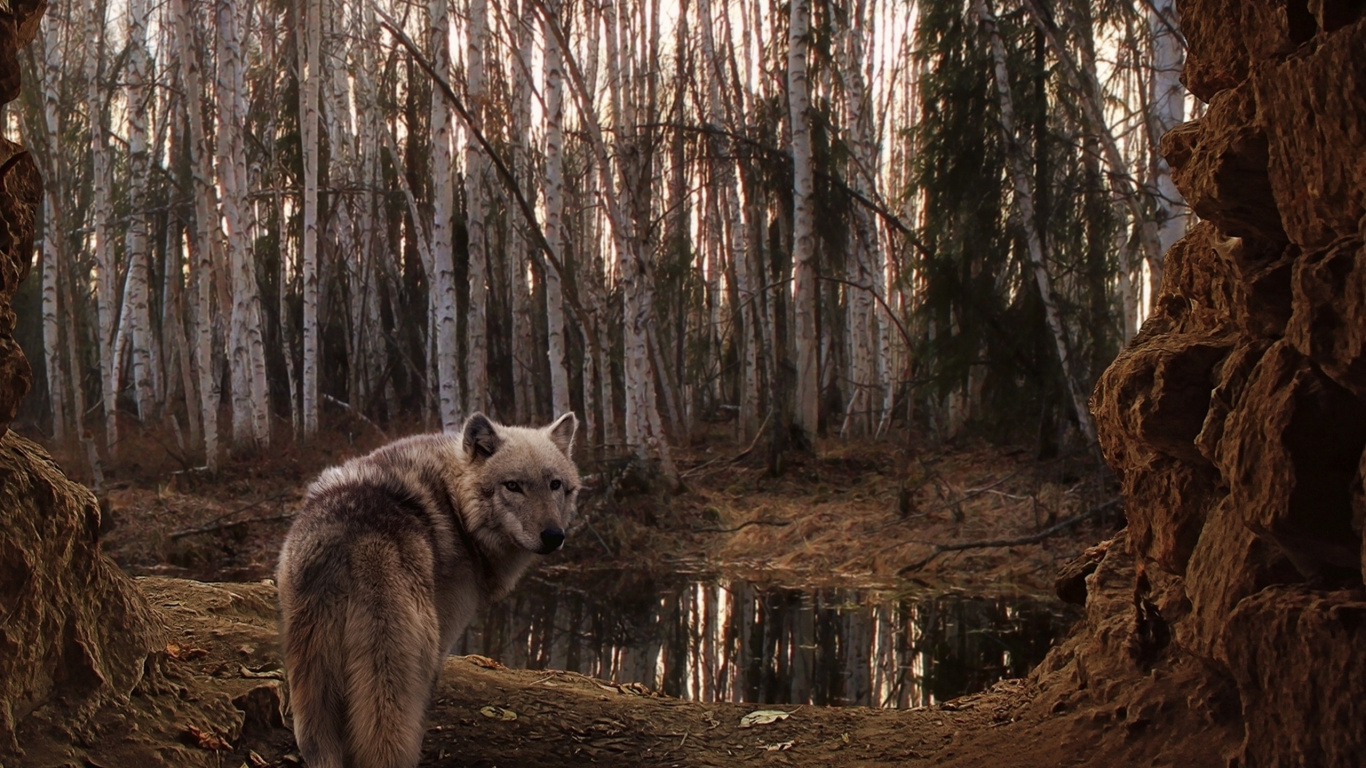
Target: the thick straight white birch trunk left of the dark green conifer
pixel 804 223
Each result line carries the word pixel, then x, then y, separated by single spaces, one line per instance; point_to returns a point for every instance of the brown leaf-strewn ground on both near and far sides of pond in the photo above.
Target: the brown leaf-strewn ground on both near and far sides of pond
pixel 854 515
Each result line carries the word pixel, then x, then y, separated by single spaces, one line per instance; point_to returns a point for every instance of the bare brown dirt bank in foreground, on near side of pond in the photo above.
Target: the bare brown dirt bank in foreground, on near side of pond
pixel 212 696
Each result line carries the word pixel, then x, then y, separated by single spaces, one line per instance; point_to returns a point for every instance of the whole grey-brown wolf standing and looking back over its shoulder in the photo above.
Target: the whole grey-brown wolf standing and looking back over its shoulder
pixel 387 562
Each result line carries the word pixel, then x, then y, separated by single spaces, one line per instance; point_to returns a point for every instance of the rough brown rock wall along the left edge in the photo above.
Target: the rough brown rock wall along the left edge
pixel 74 632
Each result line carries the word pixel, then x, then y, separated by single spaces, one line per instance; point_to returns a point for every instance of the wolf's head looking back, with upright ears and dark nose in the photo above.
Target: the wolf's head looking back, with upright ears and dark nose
pixel 524 478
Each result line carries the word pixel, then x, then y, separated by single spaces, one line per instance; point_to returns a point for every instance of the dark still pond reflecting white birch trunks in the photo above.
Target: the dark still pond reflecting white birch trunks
pixel 738 642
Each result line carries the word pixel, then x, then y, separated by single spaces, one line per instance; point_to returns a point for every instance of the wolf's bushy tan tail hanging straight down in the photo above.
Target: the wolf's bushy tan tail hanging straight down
pixel 391 642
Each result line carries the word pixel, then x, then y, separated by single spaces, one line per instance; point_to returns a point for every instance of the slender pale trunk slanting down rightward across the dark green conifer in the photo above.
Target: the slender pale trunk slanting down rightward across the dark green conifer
pixel 1025 214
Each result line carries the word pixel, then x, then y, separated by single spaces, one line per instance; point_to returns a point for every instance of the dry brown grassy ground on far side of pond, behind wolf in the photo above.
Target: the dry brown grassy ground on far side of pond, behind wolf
pixel 860 515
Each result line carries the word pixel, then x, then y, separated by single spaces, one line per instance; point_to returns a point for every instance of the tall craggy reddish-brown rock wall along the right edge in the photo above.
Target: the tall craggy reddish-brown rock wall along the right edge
pixel 1237 420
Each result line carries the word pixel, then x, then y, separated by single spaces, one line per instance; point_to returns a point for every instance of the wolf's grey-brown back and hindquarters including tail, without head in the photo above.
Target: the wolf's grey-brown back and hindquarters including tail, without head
pixel 361 635
